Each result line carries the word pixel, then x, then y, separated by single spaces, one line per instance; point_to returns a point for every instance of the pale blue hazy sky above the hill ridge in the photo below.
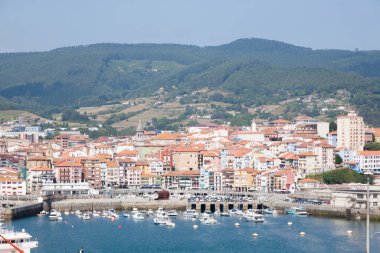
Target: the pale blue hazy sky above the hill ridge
pixel 30 25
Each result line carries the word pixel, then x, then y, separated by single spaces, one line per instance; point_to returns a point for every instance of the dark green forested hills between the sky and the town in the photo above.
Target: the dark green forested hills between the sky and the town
pixel 253 71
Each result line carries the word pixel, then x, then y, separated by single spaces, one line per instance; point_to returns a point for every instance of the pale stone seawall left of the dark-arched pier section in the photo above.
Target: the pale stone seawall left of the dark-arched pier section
pixel 118 204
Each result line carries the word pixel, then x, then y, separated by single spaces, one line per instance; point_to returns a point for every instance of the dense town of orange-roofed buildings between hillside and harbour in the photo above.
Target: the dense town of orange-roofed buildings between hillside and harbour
pixel 271 157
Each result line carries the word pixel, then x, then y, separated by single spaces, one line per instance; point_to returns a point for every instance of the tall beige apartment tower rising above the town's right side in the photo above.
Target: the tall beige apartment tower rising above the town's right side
pixel 351 132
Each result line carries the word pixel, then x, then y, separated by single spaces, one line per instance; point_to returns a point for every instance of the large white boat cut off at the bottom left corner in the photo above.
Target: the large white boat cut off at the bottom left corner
pixel 22 240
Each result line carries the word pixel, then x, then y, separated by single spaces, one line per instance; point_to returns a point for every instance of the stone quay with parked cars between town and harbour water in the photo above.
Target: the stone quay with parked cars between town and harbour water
pixel 201 201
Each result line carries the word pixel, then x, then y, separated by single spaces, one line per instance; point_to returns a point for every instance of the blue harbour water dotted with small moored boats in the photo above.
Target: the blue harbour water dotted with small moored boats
pixel 102 235
